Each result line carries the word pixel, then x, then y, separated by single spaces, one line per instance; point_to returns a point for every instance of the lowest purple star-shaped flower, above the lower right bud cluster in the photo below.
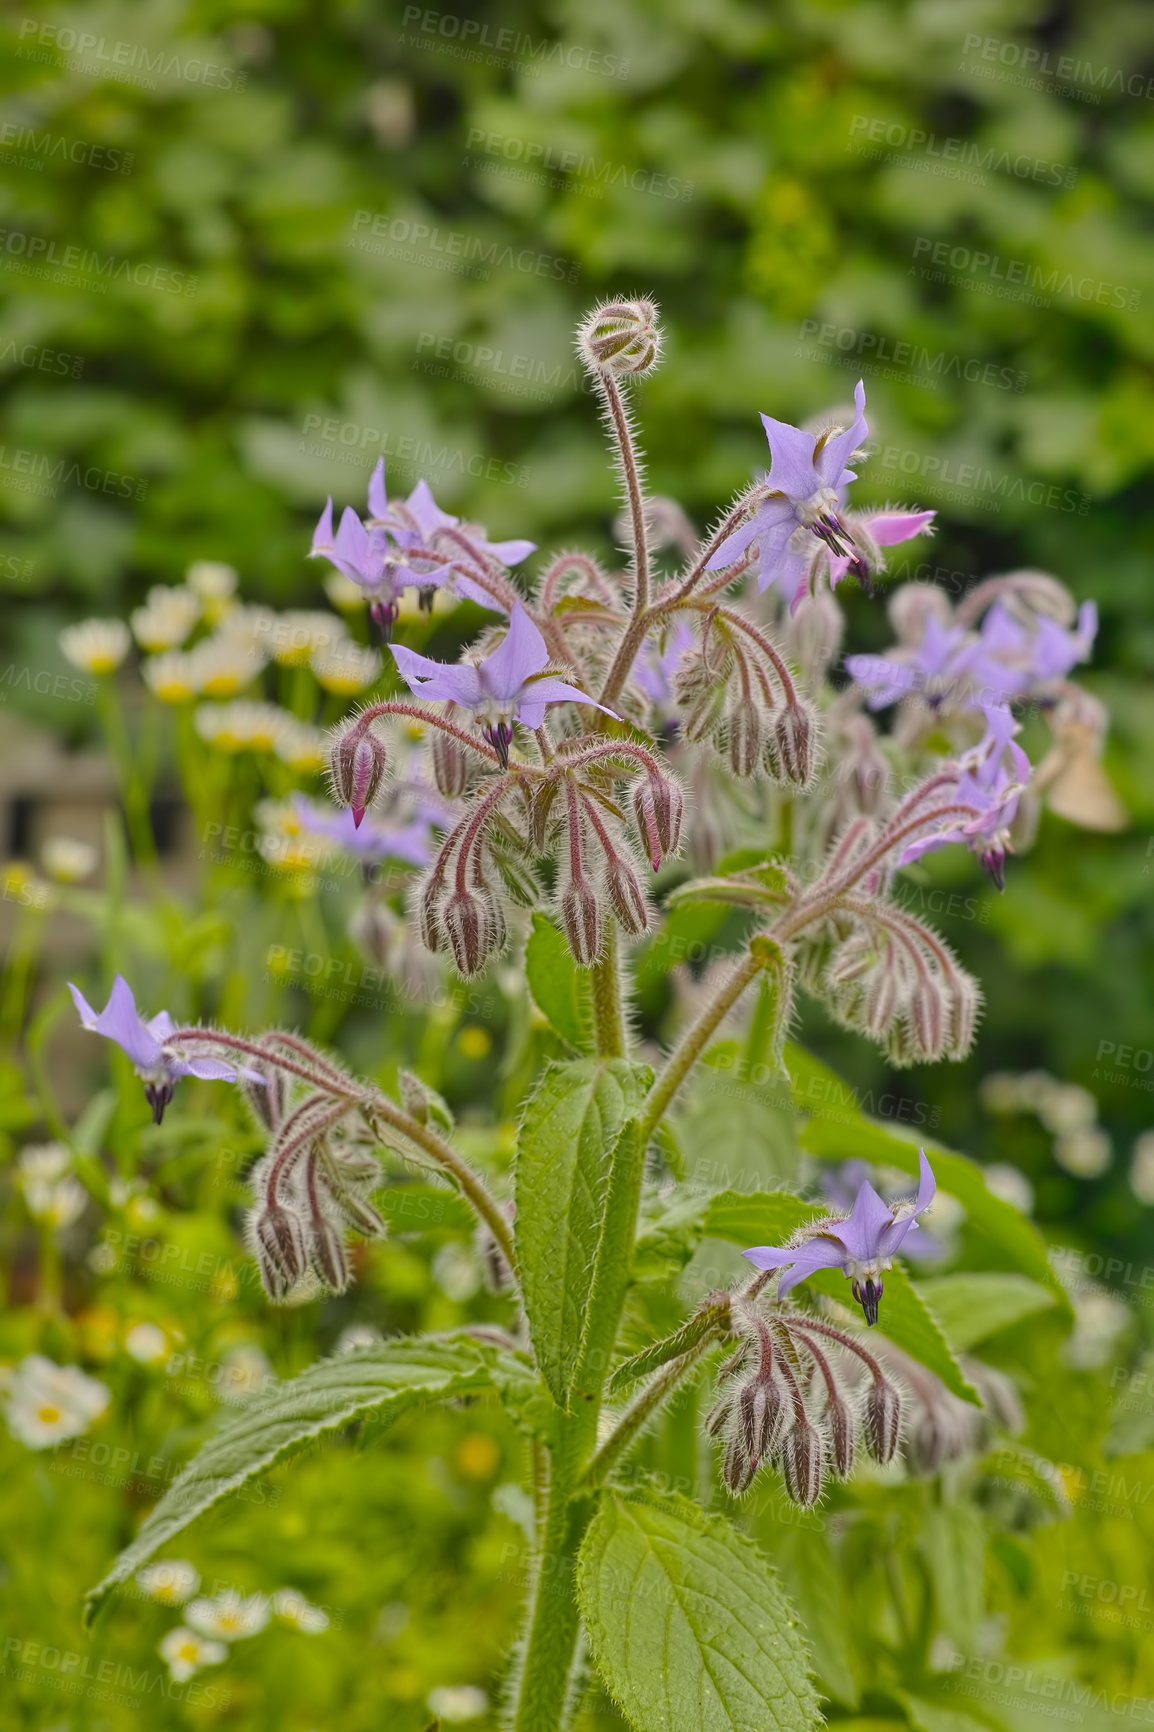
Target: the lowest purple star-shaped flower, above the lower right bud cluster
pixel 860 1244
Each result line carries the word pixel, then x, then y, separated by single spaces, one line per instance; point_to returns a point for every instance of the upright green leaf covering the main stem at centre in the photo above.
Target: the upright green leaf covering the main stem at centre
pixel 562 1175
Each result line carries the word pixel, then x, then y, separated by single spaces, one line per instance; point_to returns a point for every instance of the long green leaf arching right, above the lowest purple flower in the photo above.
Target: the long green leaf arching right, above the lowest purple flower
pixel 840 1132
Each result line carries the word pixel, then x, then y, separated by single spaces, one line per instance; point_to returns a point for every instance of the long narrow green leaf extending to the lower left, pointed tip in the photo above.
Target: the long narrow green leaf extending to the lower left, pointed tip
pixel 386 1380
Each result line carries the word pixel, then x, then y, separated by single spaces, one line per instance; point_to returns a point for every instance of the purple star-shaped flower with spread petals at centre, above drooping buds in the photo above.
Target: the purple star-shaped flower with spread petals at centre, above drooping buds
pixel 505 688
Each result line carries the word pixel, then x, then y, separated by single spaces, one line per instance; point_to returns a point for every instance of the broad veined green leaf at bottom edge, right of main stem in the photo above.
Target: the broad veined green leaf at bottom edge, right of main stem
pixel 689 1624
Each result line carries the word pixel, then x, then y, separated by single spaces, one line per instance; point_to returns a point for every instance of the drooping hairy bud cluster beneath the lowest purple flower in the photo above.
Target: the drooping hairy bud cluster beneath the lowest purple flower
pixel 786 1400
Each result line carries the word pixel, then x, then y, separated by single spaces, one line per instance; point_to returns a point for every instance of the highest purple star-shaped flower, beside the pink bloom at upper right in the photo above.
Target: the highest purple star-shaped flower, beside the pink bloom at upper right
pixel 807 477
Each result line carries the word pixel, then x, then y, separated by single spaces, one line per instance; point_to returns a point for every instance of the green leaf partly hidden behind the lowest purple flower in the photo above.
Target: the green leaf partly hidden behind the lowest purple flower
pixel 768 1218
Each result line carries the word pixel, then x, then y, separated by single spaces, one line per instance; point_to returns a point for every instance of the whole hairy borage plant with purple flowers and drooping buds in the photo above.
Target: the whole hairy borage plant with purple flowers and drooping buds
pixel 604 723
